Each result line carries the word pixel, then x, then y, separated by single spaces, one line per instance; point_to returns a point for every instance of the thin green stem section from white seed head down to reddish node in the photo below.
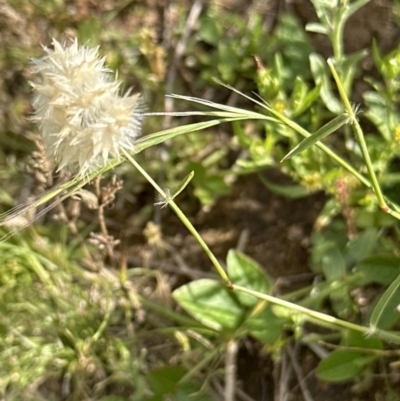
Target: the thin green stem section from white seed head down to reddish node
pixel 183 218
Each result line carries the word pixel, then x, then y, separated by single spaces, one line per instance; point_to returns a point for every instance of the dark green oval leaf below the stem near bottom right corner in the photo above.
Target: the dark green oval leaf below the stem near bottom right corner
pixel 342 365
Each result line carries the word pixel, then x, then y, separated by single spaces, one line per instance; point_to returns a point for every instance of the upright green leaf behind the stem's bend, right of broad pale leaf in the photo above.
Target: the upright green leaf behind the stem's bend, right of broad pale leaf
pixel 244 271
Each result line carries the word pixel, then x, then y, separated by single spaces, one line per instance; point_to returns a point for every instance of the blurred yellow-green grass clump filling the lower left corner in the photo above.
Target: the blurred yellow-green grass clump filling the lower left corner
pixel 56 322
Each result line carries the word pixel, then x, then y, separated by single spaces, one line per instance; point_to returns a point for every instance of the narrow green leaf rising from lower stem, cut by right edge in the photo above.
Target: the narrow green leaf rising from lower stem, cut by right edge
pixel 386 312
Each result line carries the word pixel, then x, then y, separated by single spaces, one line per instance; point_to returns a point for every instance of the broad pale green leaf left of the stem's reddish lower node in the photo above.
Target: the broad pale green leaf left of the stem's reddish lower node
pixel 211 303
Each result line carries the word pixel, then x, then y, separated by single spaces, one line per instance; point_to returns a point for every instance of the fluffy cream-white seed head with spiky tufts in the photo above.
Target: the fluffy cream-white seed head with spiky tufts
pixel 82 118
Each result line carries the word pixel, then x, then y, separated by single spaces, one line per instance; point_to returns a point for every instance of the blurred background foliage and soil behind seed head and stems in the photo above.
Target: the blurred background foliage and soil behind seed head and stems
pixel 86 305
